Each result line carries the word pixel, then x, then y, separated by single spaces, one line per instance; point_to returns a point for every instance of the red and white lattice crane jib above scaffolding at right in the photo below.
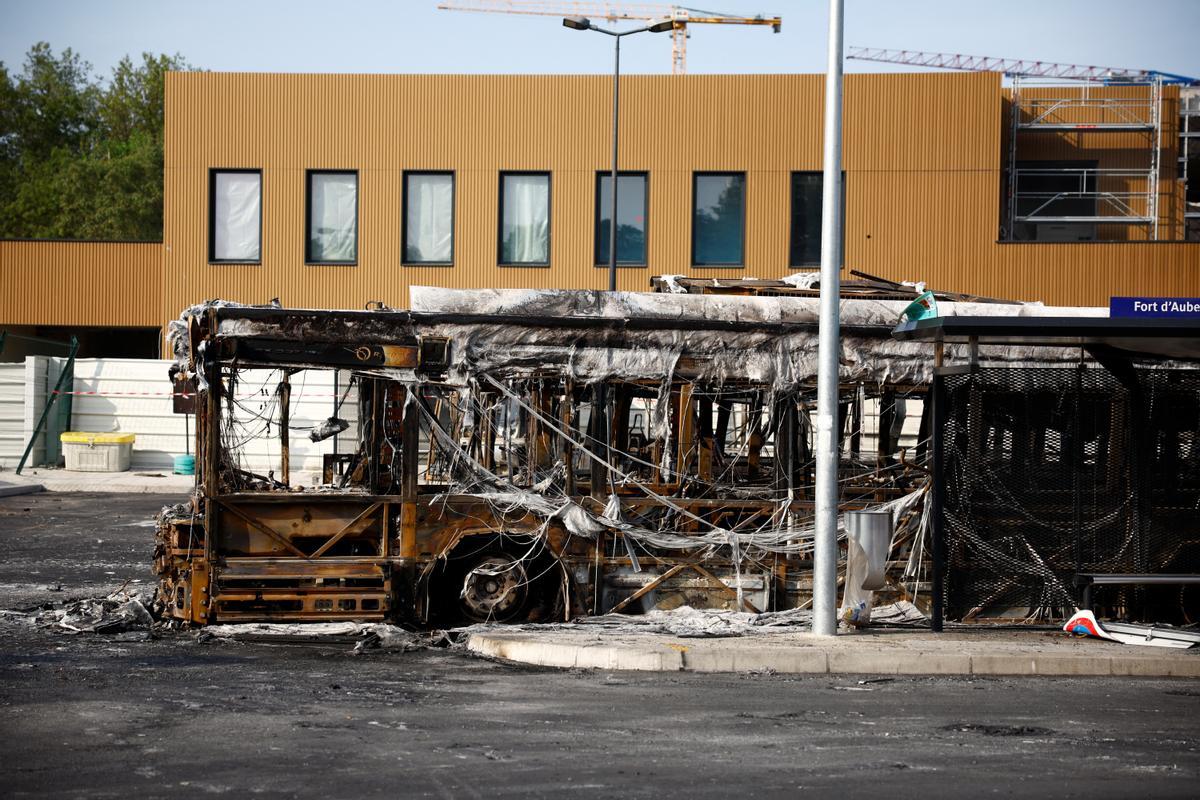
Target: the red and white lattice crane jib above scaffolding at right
pixel 1013 67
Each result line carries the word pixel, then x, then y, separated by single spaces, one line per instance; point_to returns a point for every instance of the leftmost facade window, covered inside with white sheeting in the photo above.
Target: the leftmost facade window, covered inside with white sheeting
pixel 236 216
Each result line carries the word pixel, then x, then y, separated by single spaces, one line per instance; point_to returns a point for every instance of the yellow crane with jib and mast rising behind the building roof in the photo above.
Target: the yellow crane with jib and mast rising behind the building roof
pixel 680 16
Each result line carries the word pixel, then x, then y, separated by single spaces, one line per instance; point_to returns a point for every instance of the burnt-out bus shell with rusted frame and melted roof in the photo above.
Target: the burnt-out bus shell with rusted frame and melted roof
pixel 532 456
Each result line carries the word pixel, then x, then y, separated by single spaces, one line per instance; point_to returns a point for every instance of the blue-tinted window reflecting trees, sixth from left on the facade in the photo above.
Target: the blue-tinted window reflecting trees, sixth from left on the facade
pixel 718 220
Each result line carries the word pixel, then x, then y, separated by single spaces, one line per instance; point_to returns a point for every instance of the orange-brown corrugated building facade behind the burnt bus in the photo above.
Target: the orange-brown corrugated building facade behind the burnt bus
pixel 926 179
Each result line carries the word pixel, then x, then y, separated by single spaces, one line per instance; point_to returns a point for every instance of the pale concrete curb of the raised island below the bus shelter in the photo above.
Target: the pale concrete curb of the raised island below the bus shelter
pixel 665 654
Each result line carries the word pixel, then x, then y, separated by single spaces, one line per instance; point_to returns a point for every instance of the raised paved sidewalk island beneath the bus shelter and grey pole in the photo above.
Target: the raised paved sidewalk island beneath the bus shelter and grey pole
pixel 884 652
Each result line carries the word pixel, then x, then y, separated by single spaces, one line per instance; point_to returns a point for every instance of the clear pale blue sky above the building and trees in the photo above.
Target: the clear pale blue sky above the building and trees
pixel 413 37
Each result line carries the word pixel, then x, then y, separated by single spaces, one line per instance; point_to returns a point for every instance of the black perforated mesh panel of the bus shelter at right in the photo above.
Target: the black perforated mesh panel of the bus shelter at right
pixel 1053 472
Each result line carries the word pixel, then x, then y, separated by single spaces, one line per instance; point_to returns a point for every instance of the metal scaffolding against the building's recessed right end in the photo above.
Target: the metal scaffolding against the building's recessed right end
pixel 1087 195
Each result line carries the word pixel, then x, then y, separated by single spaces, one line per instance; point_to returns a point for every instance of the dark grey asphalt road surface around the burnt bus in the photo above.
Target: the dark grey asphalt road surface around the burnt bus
pixel 97 717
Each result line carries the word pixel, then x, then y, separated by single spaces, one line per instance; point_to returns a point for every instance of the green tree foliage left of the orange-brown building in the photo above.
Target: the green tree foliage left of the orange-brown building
pixel 82 159
